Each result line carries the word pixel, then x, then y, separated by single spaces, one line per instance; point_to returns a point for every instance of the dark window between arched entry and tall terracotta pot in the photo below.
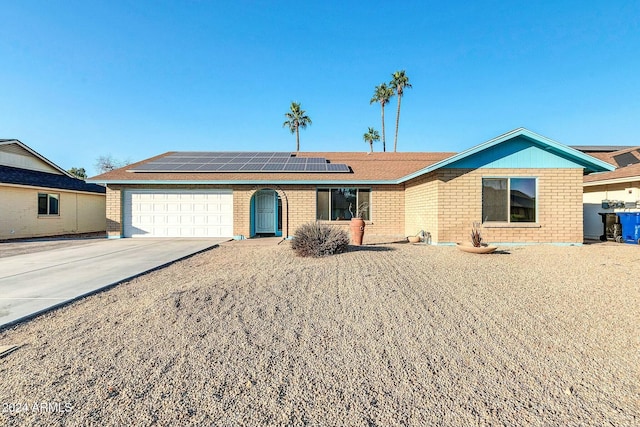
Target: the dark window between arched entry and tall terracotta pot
pixel 338 204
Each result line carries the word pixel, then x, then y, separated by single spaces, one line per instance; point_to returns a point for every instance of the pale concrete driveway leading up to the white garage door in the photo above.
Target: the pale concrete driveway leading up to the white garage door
pixel 36 282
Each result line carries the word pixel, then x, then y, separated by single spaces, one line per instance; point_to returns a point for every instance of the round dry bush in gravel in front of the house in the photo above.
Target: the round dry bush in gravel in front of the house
pixel 317 240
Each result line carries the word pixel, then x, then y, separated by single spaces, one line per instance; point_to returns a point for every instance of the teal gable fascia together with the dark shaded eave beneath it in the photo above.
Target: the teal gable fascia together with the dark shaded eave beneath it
pixel 591 164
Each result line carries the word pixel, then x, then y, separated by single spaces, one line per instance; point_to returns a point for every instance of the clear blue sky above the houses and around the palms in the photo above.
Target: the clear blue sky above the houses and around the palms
pixel 138 78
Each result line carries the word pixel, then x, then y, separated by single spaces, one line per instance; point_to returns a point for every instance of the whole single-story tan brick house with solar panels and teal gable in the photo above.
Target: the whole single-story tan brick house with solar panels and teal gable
pixel 525 188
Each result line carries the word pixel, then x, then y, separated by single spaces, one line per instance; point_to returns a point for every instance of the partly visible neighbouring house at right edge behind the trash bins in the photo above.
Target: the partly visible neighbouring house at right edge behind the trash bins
pixel 611 192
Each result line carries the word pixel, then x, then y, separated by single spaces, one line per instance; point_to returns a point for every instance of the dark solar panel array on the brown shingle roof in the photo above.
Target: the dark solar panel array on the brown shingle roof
pixel 234 161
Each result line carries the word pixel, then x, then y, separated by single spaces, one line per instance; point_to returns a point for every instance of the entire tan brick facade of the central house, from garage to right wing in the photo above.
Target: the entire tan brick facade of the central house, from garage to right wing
pixel 444 203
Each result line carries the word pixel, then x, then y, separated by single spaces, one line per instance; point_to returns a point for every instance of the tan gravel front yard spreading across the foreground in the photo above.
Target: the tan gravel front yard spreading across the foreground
pixel 383 335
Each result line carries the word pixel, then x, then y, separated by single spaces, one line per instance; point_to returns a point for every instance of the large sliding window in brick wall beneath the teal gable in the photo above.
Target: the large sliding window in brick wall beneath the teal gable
pixel 509 199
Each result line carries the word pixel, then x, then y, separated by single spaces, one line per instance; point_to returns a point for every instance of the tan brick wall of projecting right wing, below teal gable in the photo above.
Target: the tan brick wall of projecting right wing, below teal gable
pixel 459 204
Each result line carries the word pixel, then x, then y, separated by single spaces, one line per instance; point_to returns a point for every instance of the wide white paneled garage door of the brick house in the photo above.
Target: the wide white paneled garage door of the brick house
pixel 178 213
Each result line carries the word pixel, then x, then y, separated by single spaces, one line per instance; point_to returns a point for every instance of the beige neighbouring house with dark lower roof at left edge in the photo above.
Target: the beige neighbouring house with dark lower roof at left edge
pixel 38 198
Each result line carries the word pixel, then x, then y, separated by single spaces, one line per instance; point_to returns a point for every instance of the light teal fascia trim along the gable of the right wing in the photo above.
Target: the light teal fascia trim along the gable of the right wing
pixel 504 137
